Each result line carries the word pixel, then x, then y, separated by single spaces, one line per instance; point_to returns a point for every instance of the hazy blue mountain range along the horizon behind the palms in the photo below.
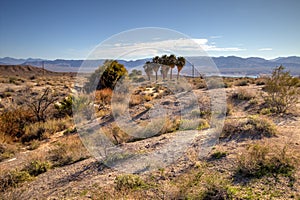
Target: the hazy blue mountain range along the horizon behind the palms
pixel 230 65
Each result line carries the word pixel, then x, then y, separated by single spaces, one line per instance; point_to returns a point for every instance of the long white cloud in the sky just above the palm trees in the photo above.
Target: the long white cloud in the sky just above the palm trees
pixel 181 46
